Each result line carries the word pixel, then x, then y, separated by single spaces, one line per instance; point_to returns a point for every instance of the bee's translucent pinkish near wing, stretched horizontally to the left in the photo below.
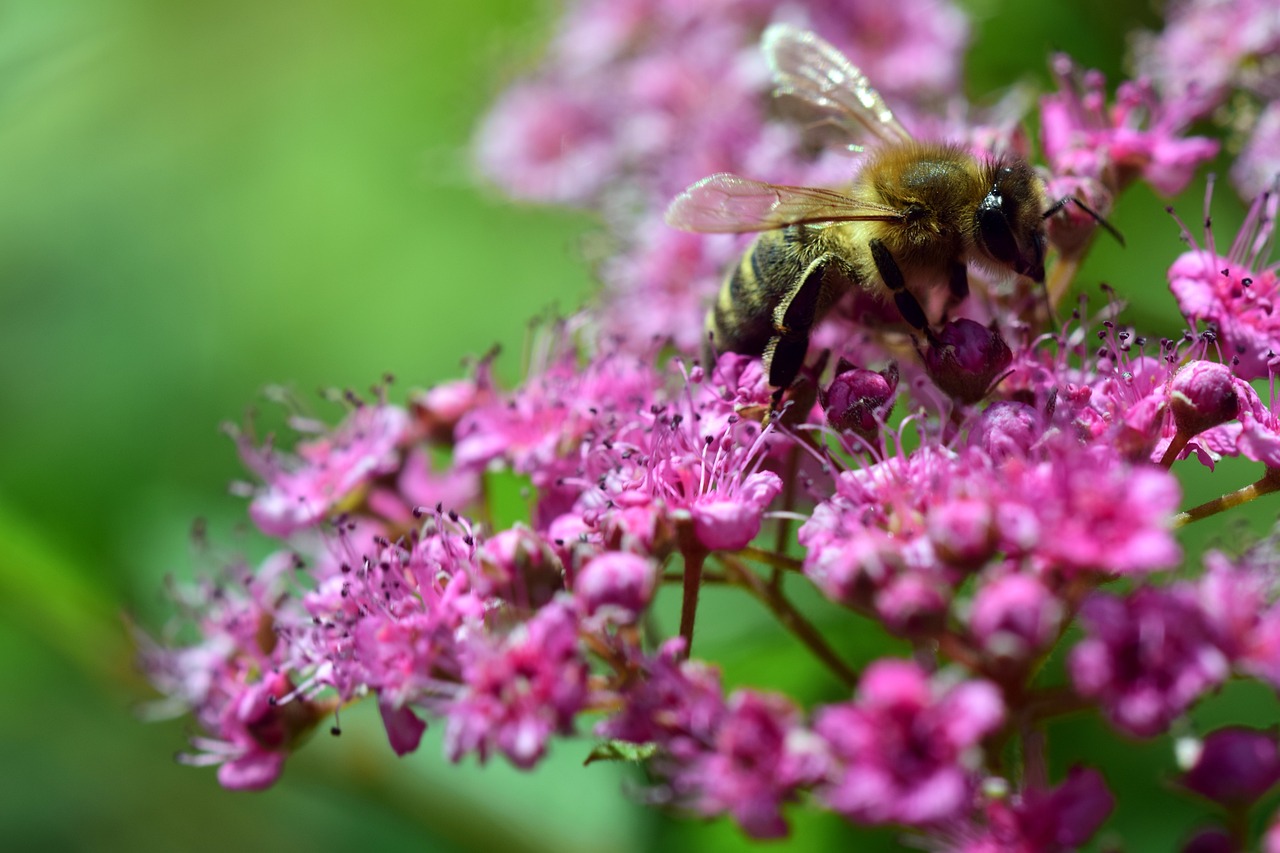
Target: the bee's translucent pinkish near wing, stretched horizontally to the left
pixel 728 203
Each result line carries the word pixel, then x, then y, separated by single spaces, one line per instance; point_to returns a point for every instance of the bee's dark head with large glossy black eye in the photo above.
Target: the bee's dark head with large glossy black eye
pixel 1009 226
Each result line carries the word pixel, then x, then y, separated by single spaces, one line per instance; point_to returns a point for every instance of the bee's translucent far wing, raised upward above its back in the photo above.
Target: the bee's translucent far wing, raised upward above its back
pixel 836 94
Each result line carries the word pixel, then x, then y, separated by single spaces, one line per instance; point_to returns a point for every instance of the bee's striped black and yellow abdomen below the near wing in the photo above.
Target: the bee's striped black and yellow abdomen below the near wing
pixel 742 321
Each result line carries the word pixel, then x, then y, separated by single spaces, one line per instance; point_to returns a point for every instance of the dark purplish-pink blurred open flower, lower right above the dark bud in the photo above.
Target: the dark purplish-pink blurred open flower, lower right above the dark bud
pixel 1146 658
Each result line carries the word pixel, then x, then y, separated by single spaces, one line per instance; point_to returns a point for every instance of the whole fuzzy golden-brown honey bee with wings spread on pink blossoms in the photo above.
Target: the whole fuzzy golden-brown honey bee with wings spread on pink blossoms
pixel 915 215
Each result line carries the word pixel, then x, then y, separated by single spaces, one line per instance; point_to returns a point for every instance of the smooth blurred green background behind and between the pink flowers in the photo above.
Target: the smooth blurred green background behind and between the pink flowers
pixel 209 198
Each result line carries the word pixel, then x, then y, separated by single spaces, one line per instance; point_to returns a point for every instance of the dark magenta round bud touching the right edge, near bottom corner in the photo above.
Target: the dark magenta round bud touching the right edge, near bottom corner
pixel 1236 767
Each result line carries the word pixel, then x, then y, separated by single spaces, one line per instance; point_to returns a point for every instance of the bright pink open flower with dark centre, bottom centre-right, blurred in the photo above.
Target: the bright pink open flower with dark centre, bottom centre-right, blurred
pixel 906 747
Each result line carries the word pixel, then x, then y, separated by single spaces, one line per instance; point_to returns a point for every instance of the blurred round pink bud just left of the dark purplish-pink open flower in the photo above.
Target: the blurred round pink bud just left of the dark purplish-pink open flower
pixel 1014 617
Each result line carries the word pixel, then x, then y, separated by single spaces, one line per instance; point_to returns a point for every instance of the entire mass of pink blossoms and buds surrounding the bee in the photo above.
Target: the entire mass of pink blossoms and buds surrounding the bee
pixel 998 494
